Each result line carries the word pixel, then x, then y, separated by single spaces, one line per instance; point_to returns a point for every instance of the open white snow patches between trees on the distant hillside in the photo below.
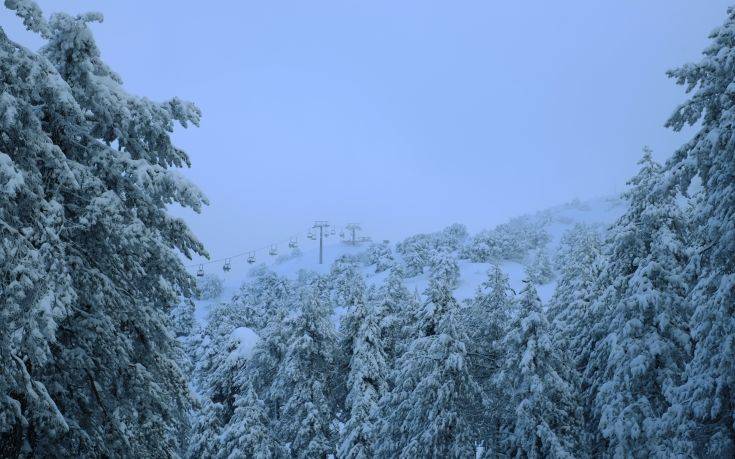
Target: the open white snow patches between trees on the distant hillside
pixel 557 220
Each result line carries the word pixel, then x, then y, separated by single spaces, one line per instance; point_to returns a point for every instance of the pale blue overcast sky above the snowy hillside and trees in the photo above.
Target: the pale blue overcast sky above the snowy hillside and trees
pixel 405 116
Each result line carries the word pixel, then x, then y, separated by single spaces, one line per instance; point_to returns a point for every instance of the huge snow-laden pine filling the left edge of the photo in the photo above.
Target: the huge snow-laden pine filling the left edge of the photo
pixel 88 265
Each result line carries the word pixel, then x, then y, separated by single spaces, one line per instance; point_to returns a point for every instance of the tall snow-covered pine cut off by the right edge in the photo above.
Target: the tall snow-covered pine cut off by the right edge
pixel 705 413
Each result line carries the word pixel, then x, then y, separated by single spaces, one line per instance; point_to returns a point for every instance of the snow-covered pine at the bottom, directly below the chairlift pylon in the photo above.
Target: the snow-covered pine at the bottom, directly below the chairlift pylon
pixel 304 423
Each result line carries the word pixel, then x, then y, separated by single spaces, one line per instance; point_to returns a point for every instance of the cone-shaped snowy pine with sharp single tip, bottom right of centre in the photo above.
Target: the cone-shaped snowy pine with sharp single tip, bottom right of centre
pixel 544 403
